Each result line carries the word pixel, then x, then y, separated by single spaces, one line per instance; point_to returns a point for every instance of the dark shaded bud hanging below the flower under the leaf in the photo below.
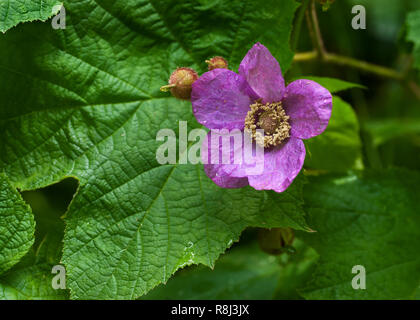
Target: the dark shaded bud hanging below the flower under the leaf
pixel 276 241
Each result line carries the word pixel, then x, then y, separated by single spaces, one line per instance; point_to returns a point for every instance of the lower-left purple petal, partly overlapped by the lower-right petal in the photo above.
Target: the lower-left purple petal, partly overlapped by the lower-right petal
pixel 219 162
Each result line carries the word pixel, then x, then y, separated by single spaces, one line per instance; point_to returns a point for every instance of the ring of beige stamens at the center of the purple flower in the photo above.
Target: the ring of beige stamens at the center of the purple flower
pixel 271 118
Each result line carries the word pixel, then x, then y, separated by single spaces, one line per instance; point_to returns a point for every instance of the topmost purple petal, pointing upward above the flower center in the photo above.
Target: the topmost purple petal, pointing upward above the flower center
pixel 263 73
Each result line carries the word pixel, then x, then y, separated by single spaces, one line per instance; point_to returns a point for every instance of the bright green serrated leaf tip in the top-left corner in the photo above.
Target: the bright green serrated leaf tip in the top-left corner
pixel 13 12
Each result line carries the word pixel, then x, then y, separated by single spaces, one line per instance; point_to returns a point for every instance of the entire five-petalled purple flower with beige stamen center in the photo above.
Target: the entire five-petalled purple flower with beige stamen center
pixel 257 98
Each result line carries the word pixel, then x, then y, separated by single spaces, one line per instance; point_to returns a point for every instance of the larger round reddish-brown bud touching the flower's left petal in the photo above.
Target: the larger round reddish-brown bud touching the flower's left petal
pixel 180 83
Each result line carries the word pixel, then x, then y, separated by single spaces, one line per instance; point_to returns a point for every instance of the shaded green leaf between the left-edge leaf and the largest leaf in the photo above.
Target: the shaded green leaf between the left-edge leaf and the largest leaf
pixel 31 278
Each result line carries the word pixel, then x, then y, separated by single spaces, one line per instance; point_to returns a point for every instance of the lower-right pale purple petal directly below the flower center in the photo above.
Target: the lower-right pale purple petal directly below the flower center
pixel 281 166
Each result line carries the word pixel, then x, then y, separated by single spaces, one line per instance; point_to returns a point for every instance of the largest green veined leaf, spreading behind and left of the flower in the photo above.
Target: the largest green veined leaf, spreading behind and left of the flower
pixel 91 109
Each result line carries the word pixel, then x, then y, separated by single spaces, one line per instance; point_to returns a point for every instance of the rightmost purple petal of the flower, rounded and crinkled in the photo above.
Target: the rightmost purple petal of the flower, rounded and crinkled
pixel 309 106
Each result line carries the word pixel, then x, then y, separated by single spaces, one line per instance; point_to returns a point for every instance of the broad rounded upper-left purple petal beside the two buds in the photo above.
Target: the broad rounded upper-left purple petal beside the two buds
pixel 221 99
